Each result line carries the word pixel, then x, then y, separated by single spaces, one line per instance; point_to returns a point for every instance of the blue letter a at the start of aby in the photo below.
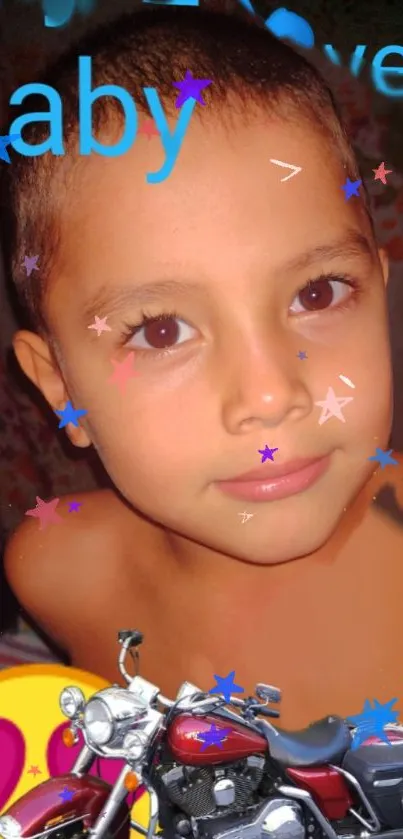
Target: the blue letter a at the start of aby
pixel 54 143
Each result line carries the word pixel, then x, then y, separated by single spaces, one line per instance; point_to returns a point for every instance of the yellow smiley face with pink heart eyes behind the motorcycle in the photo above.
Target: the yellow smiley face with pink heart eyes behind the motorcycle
pixel 31 724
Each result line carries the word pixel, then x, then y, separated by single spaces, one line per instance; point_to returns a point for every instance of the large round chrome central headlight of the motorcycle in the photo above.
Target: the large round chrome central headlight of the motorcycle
pixel 110 714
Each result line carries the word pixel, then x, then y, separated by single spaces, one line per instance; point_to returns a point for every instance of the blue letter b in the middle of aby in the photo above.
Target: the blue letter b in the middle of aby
pixel 87 97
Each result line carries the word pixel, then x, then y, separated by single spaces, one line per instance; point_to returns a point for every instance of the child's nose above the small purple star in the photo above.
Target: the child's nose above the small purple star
pixel 263 391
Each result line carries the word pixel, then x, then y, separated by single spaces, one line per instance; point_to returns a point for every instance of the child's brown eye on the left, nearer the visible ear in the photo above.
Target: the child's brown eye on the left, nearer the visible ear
pixel 159 333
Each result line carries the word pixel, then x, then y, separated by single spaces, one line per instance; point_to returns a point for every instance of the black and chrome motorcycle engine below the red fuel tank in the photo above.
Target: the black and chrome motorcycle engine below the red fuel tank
pixel 223 803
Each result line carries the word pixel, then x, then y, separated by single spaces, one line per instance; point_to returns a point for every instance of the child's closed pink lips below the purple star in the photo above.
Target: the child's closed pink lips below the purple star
pixel 276 481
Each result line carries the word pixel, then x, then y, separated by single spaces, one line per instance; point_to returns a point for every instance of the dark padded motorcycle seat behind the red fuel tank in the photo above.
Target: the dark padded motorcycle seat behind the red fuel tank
pixel 325 741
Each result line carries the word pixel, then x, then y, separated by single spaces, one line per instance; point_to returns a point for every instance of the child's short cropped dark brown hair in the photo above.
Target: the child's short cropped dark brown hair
pixel 151 47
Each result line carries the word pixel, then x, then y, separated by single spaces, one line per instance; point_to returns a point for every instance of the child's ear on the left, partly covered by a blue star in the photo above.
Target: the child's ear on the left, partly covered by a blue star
pixel 36 360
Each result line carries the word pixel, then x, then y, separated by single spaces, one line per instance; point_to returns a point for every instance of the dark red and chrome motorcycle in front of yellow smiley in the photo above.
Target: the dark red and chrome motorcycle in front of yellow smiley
pixel 256 781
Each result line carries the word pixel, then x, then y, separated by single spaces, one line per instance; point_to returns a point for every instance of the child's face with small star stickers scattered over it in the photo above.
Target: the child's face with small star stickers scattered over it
pixel 237 247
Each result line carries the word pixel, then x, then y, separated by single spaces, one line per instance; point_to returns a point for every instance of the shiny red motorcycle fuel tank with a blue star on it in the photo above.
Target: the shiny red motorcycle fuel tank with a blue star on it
pixel 186 746
